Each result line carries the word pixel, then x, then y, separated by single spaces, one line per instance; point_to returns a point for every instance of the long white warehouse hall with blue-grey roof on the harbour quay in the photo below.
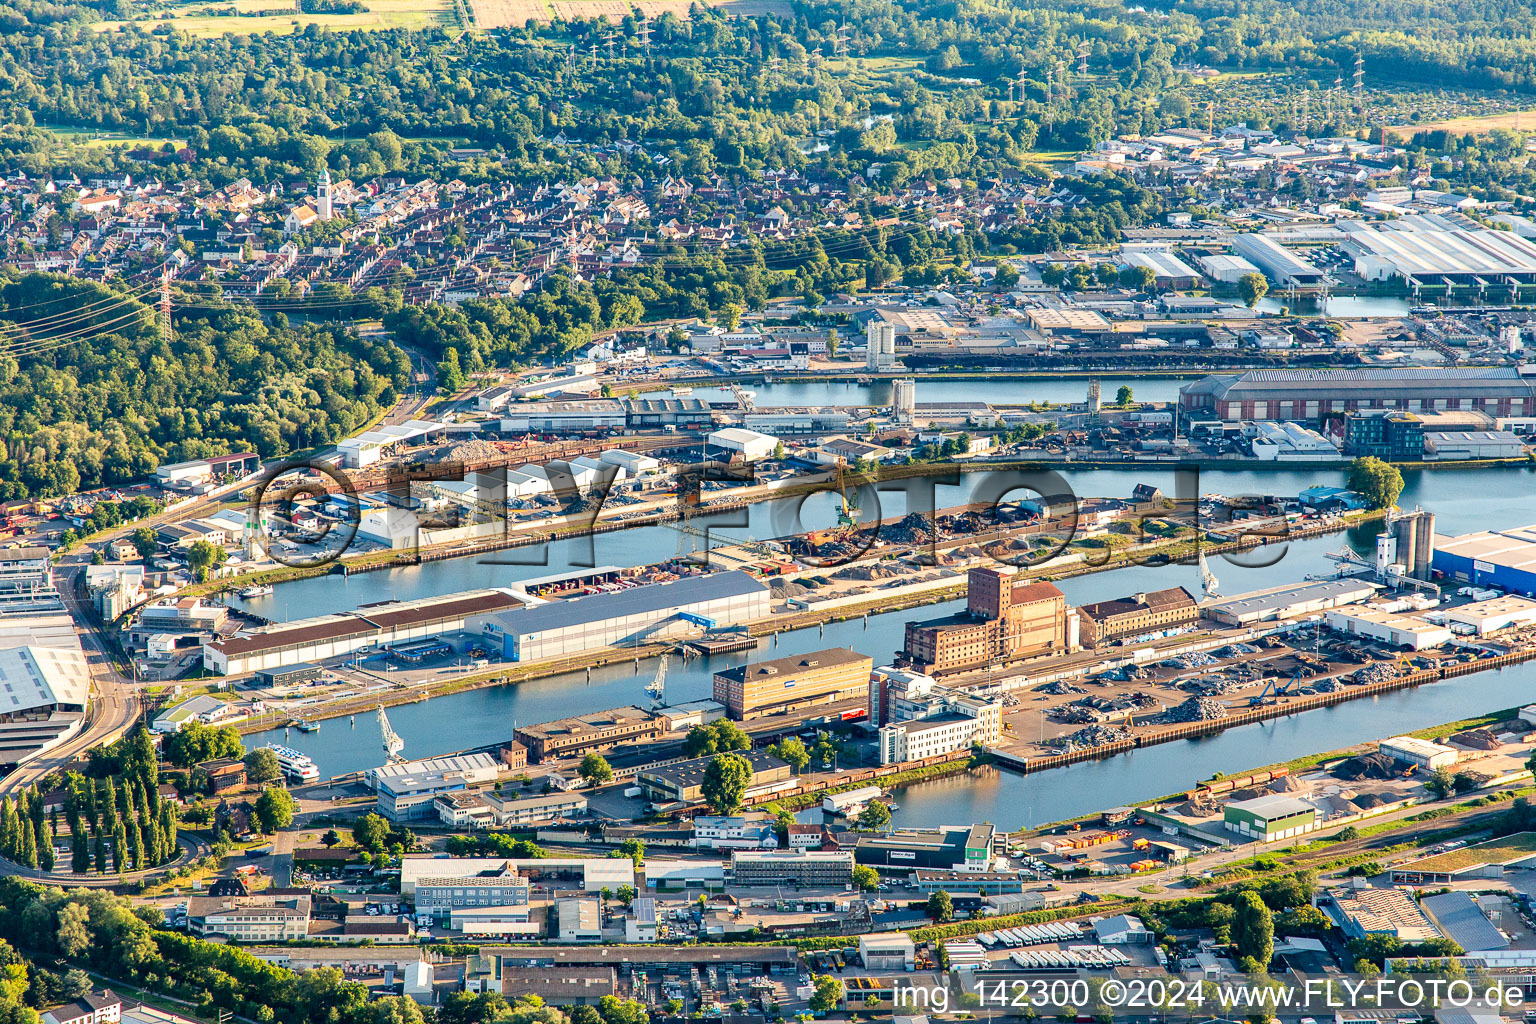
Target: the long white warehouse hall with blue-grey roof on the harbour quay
pixel 629 616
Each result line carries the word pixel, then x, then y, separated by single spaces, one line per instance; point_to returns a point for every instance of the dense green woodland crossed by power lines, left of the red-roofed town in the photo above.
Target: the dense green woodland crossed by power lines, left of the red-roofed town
pixel 96 395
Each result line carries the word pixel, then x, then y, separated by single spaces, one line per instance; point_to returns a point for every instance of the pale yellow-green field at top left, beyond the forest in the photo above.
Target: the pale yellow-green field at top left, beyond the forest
pixel 248 18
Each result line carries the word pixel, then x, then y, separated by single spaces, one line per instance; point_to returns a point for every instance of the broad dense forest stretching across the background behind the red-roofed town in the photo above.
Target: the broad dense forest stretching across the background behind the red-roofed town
pixel 984 88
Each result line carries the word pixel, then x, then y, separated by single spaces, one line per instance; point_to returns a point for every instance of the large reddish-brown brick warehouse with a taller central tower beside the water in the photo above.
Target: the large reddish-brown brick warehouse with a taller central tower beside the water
pixel 1005 619
